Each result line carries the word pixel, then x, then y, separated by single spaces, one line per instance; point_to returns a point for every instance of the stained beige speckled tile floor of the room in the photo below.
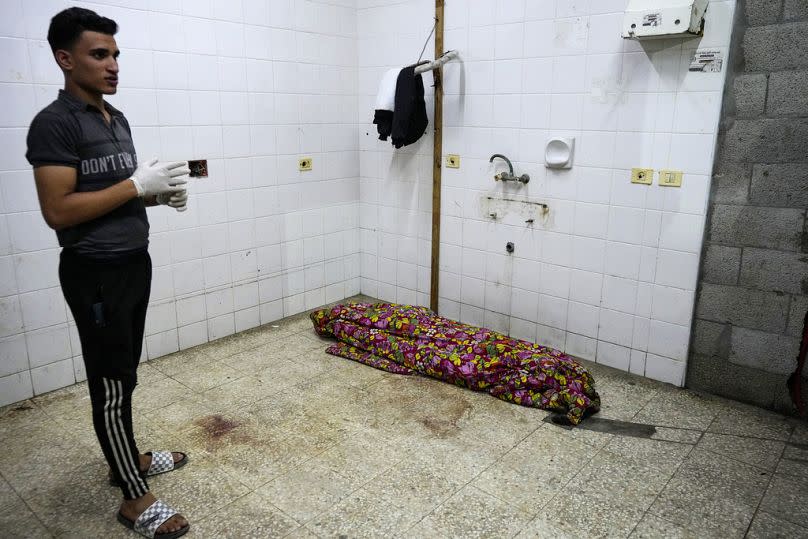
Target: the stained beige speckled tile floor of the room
pixel 287 441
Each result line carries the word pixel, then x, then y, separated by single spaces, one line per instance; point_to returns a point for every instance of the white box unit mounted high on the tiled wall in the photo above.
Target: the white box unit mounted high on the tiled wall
pixel 654 19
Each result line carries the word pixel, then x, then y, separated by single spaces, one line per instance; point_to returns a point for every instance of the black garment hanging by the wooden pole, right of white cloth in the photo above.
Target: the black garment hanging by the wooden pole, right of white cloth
pixel 409 114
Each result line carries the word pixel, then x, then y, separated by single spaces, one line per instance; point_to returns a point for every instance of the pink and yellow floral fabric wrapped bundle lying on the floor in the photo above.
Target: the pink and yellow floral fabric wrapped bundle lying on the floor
pixel 413 340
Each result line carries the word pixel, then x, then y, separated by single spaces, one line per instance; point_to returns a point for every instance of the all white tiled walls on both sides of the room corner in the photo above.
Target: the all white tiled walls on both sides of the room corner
pixel 252 85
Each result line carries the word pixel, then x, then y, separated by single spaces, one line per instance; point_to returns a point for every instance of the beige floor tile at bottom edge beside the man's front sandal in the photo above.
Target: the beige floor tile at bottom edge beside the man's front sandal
pixel 250 516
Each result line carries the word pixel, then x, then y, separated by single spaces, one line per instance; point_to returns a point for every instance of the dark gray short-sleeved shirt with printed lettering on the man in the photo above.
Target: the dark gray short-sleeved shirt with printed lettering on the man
pixel 70 132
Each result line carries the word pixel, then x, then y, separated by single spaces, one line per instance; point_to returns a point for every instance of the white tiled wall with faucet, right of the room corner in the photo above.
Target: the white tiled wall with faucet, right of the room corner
pixel 609 275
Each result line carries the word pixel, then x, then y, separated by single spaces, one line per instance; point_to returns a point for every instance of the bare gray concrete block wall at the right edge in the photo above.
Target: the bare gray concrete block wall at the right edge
pixel 753 285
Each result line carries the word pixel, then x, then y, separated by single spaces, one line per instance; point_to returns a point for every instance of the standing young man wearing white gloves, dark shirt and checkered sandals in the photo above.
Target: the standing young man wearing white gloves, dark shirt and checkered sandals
pixel 94 194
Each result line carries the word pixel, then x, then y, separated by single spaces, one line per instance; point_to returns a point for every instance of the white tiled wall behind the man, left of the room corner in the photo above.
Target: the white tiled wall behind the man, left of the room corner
pixel 251 86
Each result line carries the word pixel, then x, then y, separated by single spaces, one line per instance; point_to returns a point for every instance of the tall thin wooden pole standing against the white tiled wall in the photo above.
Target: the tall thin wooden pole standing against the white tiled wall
pixel 437 154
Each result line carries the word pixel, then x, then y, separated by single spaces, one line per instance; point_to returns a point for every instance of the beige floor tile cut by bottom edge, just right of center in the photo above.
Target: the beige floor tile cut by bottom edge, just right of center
pixel 473 513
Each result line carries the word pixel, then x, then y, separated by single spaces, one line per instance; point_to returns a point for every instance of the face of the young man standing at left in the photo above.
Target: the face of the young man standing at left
pixel 92 64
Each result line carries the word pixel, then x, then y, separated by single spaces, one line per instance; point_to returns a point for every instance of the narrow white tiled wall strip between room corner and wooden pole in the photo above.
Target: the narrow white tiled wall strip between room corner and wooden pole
pixel 395 211
